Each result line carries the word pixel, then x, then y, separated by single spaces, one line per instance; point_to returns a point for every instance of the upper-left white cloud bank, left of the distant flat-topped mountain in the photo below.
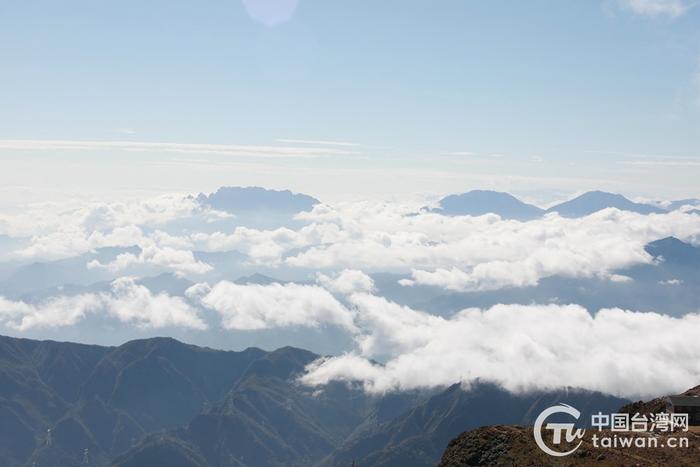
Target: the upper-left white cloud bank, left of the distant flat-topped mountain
pixel 56 233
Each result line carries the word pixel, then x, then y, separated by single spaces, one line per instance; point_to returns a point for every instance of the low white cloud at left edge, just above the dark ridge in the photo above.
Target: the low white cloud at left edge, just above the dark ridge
pixel 127 301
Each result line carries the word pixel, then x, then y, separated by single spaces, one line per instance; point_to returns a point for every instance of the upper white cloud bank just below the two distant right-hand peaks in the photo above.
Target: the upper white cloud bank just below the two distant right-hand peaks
pixel 486 252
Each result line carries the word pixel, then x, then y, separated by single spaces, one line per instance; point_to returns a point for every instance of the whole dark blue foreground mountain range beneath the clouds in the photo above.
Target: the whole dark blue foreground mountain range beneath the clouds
pixel 161 402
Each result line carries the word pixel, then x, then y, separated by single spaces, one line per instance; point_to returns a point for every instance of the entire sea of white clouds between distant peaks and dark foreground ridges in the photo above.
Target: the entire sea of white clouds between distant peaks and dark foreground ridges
pixel 336 248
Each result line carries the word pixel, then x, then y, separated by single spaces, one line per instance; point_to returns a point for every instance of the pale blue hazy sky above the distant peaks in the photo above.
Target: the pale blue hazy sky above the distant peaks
pixel 347 99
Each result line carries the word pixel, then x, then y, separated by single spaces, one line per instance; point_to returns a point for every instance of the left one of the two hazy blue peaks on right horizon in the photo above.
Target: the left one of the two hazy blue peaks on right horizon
pixel 480 202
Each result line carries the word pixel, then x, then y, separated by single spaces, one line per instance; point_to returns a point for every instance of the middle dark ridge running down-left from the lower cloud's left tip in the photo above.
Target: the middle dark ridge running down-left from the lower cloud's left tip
pixel 266 420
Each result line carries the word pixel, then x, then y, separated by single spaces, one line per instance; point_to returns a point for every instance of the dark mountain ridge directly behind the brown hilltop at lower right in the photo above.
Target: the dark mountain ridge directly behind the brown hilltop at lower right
pixel 418 437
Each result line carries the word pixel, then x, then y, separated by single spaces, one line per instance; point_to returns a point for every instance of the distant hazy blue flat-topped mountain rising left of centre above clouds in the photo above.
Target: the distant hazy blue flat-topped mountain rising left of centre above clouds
pixel 250 199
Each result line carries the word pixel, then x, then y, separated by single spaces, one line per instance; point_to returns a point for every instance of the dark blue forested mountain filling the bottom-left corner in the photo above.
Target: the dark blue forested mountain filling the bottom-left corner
pixel 103 399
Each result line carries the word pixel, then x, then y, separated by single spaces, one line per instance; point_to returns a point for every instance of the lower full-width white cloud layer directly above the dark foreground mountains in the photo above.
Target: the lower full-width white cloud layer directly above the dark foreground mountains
pixel 520 347
